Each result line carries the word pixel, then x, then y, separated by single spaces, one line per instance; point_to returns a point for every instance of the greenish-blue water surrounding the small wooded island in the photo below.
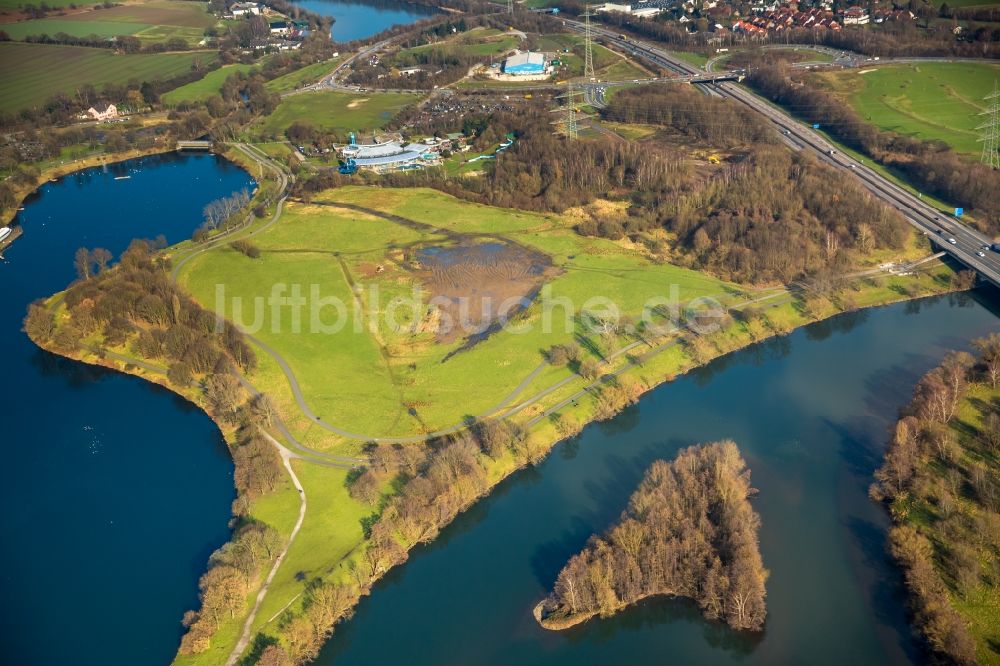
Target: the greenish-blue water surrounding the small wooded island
pixel 810 413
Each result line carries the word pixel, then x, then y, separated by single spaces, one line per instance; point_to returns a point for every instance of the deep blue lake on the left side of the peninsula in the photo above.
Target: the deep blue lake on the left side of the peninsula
pixel 114 491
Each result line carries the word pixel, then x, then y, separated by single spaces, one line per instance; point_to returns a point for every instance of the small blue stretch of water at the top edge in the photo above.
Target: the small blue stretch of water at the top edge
pixel 358 19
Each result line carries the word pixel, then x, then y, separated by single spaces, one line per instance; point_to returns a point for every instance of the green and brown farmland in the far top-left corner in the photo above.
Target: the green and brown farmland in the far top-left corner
pixel 154 21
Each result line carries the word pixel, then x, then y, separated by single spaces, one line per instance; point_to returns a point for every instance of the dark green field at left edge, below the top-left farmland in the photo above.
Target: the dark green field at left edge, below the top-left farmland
pixel 31 73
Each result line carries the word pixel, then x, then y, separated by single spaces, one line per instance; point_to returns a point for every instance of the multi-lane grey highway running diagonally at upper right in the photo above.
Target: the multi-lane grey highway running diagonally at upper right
pixel 937 226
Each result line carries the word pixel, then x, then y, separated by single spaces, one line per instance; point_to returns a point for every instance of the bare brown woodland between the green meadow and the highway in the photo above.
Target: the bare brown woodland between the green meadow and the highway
pixel 763 215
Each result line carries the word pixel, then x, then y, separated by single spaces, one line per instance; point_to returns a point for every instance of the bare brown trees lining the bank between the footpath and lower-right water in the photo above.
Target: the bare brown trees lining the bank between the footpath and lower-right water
pixel 411 493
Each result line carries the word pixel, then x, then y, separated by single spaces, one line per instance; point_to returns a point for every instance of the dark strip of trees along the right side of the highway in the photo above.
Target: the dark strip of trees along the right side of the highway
pixel 930 165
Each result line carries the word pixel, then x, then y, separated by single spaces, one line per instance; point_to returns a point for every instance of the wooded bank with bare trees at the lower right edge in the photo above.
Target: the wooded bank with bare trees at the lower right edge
pixel 941 481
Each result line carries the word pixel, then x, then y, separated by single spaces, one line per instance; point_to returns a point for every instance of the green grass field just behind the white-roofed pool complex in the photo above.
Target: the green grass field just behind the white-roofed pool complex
pixel 336 111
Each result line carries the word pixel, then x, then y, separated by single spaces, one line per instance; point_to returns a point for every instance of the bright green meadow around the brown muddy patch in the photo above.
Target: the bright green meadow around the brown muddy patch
pixel 374 377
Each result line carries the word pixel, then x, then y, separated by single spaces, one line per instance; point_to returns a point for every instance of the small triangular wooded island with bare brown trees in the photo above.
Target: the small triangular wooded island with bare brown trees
pixel 688 531
